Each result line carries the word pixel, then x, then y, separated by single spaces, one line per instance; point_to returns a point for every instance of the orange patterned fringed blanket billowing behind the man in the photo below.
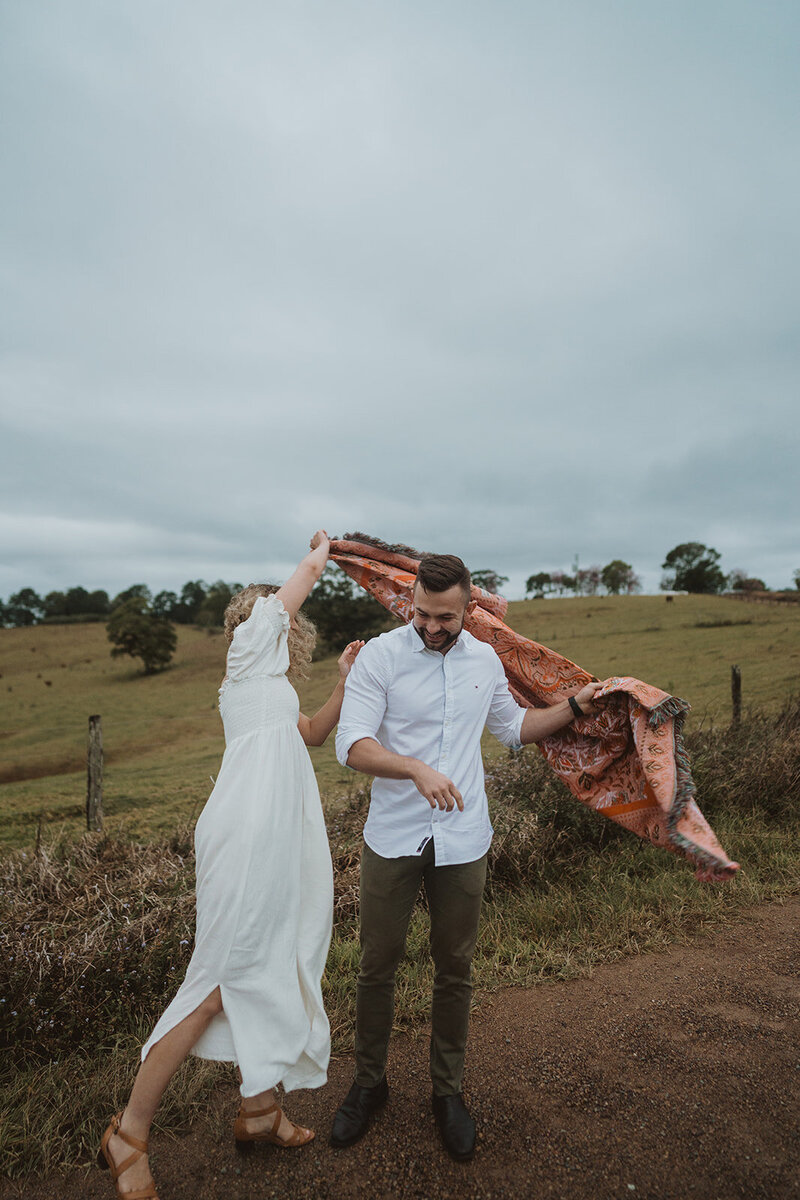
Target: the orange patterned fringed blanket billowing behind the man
pixel 628 763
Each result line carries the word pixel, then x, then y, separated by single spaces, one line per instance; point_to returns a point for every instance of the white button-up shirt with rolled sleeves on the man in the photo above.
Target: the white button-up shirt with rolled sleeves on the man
pixel 432 707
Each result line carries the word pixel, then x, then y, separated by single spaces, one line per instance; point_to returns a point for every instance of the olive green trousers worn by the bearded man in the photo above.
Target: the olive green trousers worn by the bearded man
pixel 389 891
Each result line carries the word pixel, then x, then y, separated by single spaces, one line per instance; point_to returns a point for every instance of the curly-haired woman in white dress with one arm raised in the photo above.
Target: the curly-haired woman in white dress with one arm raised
pixel 264 891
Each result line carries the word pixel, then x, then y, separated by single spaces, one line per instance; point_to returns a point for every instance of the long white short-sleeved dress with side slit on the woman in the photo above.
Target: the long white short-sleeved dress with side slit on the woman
pixel 264 879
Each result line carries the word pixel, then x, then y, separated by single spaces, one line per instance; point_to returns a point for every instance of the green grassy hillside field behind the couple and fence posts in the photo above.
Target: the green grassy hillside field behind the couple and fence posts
pixel 164 737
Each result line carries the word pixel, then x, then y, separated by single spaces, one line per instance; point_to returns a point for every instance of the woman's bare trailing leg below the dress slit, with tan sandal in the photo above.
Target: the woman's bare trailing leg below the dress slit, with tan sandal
pixel 153 1077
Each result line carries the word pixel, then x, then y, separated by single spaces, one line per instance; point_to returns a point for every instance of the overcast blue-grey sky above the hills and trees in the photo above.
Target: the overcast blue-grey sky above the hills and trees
pixel 516 281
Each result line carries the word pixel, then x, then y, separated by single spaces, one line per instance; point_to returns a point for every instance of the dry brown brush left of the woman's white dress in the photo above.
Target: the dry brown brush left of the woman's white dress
pixel 94 937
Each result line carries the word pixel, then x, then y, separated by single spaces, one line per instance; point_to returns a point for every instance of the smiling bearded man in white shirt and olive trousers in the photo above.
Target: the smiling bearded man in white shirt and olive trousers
pixel 416 705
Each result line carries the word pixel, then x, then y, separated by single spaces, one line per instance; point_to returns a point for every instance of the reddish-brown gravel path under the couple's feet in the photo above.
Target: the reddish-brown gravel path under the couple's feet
pixel 667 1076
